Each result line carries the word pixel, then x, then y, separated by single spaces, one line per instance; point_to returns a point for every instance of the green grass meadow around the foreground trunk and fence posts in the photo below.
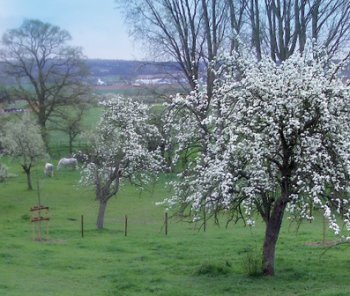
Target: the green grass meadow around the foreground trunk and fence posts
pixel 146 262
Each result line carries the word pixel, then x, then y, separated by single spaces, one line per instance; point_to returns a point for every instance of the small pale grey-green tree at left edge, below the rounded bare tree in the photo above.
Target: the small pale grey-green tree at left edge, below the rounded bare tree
pixel 23 141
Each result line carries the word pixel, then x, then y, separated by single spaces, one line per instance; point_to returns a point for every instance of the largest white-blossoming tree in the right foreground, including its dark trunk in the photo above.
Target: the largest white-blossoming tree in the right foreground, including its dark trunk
pixel 277 139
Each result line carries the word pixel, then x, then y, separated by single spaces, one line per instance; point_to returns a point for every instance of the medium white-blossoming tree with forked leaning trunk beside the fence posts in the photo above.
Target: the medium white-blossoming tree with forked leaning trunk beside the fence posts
pixel 119 149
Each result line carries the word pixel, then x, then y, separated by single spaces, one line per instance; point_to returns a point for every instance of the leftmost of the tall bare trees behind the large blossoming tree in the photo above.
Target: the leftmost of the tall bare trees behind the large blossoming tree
pixel 174 26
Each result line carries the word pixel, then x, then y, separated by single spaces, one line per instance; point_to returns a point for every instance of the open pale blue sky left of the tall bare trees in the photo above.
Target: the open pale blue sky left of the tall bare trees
pixel 95 25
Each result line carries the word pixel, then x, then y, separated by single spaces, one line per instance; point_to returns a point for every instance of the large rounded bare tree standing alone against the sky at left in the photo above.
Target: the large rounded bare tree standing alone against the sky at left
pixel 47 71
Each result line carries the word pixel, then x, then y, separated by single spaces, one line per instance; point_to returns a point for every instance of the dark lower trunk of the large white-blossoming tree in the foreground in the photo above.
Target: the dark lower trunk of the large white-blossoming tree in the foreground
pixel 273 227
